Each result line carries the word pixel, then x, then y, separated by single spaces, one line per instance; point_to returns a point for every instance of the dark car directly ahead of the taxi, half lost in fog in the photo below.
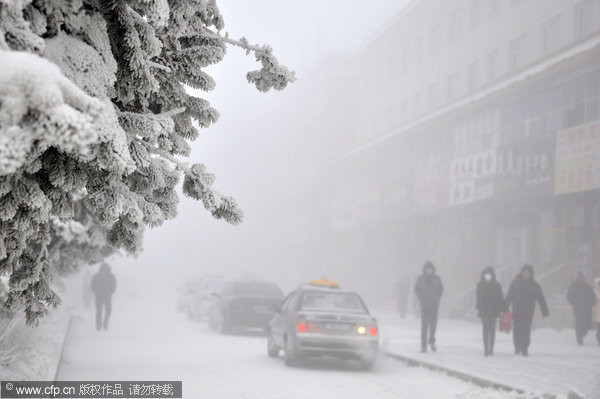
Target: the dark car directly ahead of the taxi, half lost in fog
pixel 245 304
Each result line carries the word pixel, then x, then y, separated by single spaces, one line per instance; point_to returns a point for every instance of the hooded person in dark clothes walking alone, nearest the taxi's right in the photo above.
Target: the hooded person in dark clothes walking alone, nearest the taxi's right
pixel 429 290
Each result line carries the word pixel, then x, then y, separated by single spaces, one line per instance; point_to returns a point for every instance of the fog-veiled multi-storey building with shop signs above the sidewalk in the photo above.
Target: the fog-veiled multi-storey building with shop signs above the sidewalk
pixel 477 143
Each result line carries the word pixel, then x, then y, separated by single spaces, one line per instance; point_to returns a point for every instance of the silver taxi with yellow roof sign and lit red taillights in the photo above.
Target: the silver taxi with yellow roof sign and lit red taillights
pixel 319 319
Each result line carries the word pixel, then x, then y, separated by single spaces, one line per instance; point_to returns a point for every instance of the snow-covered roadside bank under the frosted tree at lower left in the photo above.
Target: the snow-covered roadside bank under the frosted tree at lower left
pixel 39 348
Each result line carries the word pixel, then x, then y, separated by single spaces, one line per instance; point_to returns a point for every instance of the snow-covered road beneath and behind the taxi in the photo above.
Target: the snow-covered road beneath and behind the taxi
pixel 163 345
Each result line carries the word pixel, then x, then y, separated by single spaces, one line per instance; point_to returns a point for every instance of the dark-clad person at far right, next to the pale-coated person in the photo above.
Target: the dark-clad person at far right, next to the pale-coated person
pixel 582 298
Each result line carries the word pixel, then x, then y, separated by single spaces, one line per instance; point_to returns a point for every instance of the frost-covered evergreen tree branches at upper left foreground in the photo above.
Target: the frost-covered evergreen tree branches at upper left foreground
pixel 94 121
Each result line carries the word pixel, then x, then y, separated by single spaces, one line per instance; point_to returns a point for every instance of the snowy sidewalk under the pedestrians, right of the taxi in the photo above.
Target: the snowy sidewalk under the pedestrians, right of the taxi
pixel 556 363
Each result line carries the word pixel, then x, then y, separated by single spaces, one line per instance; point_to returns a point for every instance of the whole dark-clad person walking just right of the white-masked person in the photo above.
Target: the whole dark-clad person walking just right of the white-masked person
pixel 523 294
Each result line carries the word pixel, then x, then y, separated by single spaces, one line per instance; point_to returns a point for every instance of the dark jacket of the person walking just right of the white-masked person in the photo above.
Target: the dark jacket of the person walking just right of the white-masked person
pixel 523 294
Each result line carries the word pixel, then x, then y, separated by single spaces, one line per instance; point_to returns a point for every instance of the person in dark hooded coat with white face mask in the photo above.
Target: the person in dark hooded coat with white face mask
pixel 490 305
